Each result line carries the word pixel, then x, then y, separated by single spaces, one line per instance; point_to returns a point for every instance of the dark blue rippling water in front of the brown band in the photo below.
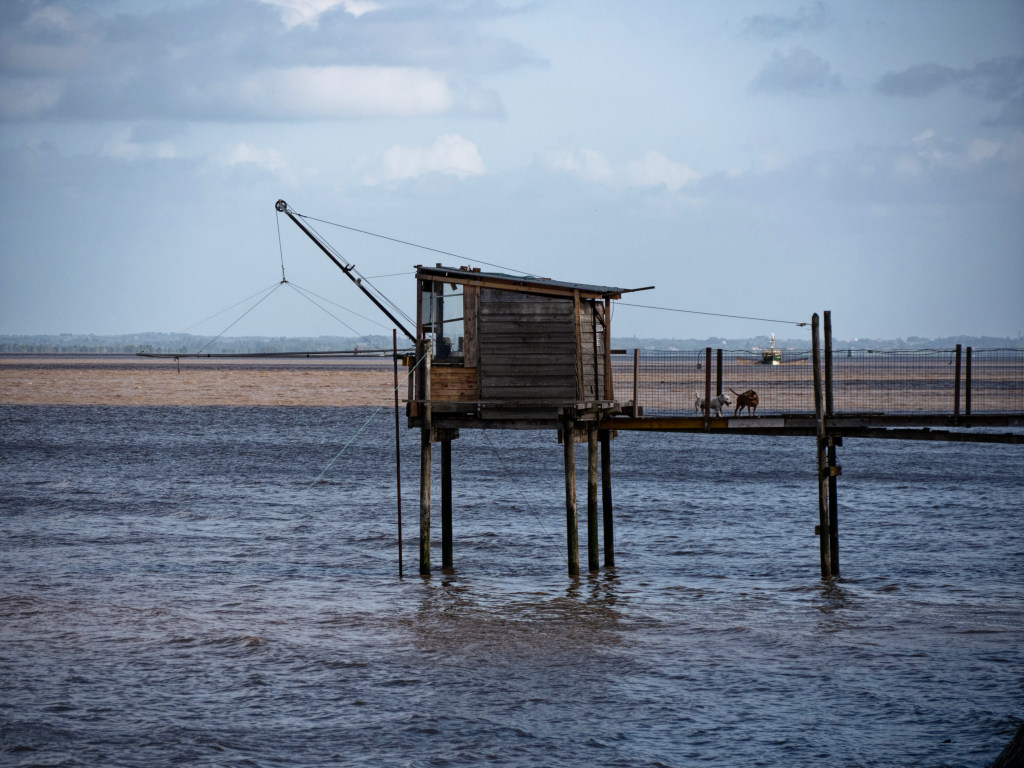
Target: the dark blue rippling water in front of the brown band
pixel 177 590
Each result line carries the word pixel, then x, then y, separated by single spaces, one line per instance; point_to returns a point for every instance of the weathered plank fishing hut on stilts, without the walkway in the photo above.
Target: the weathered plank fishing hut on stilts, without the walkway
pixel 500 352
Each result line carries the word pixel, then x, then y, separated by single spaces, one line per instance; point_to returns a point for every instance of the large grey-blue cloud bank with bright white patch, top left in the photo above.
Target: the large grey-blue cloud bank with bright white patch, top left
pixel 236 61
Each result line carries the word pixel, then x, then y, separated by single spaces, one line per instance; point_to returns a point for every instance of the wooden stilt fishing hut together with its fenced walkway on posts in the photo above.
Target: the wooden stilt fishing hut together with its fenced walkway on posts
pixel 497 352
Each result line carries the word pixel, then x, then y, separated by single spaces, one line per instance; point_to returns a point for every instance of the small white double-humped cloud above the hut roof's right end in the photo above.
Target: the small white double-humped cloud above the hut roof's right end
pixel 653 170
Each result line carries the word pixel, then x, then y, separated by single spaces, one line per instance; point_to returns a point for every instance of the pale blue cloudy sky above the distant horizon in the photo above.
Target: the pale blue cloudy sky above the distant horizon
pixel 756 162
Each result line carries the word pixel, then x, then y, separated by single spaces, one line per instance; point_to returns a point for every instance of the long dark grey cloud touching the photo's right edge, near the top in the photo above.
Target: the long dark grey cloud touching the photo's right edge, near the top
pixel 996 79
